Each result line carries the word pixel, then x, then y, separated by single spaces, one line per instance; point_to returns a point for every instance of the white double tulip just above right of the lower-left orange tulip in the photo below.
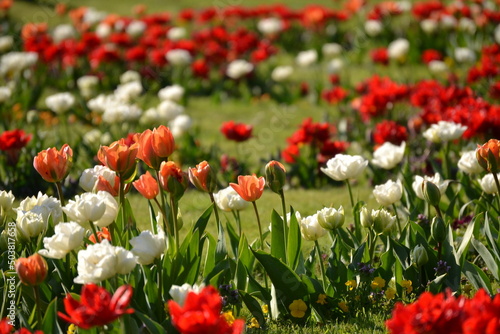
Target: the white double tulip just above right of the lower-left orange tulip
pixel 67 237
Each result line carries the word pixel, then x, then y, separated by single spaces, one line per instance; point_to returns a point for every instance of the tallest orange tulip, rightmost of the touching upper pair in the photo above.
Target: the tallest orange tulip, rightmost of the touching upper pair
pixel 155 146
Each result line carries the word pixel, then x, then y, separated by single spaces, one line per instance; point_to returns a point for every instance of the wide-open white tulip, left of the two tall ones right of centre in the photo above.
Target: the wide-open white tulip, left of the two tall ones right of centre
pixel 343 167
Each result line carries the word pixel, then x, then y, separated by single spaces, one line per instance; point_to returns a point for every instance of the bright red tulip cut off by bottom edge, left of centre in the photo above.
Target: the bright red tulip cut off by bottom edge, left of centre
pixel 201 314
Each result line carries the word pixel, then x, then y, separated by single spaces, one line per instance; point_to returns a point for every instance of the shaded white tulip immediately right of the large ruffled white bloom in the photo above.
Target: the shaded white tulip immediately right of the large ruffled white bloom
pixel 147 247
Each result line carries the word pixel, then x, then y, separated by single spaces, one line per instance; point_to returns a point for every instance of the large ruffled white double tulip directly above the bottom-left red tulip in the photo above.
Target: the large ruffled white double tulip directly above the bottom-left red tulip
pixel 102 261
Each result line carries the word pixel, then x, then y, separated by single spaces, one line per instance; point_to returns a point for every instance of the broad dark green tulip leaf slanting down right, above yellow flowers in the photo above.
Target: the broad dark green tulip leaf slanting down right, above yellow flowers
pixel 289 286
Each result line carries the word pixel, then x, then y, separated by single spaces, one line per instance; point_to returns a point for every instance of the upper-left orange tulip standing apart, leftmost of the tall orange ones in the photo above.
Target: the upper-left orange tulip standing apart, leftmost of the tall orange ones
pixel 54 165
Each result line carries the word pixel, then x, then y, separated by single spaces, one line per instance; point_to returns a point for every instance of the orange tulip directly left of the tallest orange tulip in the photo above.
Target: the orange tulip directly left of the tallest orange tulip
pixel 120 158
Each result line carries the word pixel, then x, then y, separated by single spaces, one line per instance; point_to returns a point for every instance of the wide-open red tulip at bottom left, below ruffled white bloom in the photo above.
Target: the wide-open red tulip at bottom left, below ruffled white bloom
pixel 97 307
